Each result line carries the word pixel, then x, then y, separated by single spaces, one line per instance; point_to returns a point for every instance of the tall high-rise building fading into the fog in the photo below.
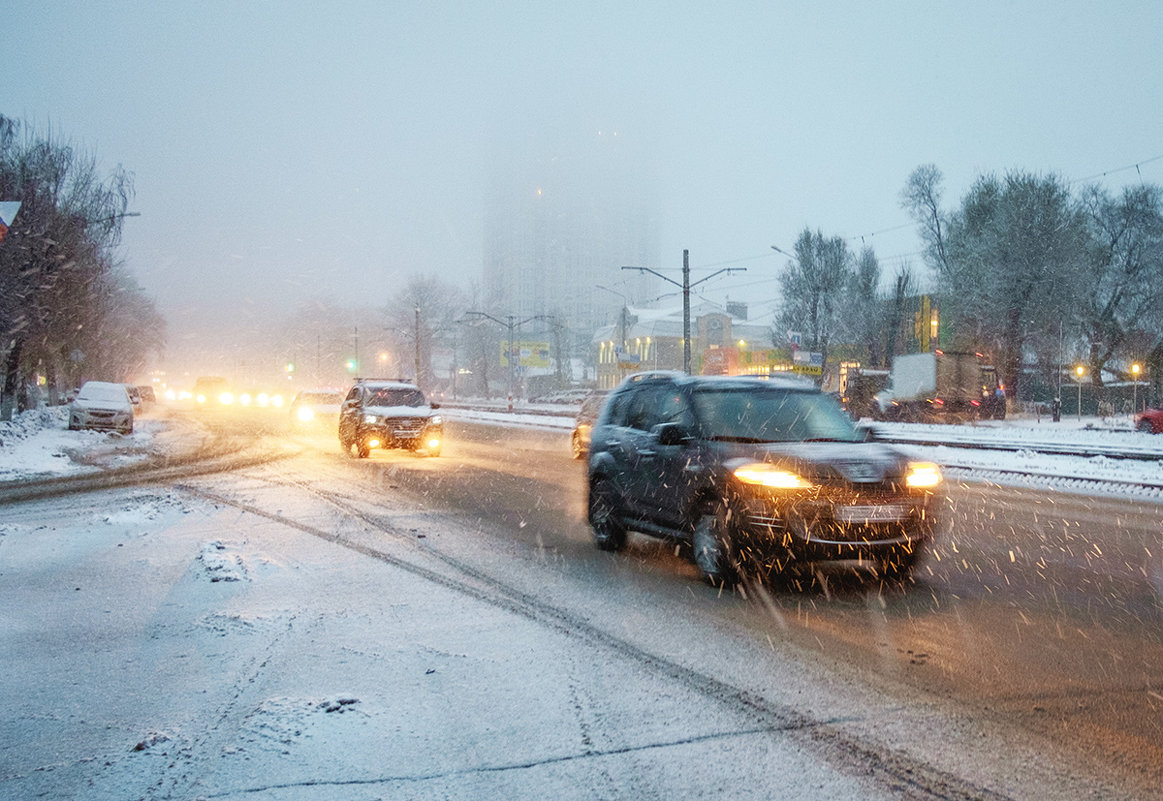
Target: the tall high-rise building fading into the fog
pixel 559 230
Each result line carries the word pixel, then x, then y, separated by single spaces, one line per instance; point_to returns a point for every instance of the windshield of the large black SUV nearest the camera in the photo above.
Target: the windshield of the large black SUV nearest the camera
pixel 770 416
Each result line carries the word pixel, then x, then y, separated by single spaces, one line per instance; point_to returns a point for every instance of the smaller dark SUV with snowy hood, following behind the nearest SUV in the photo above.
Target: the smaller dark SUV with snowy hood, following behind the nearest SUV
pixel 381 413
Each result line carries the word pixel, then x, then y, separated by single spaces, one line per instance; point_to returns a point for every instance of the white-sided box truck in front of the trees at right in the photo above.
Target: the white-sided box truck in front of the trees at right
pixel 941 387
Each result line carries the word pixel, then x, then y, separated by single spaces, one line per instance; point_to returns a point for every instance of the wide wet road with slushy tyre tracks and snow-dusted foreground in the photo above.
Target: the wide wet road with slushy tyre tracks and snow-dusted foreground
pixel 322 627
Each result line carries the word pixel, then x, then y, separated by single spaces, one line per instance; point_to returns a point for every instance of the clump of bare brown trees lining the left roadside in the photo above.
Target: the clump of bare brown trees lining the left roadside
pixel 61 295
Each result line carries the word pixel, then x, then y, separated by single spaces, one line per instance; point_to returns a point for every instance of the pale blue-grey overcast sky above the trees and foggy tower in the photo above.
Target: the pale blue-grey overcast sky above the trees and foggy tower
pixel 291 149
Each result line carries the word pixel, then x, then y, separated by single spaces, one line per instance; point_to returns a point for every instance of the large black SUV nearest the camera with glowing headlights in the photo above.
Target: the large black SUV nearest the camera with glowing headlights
pixel 759 476
